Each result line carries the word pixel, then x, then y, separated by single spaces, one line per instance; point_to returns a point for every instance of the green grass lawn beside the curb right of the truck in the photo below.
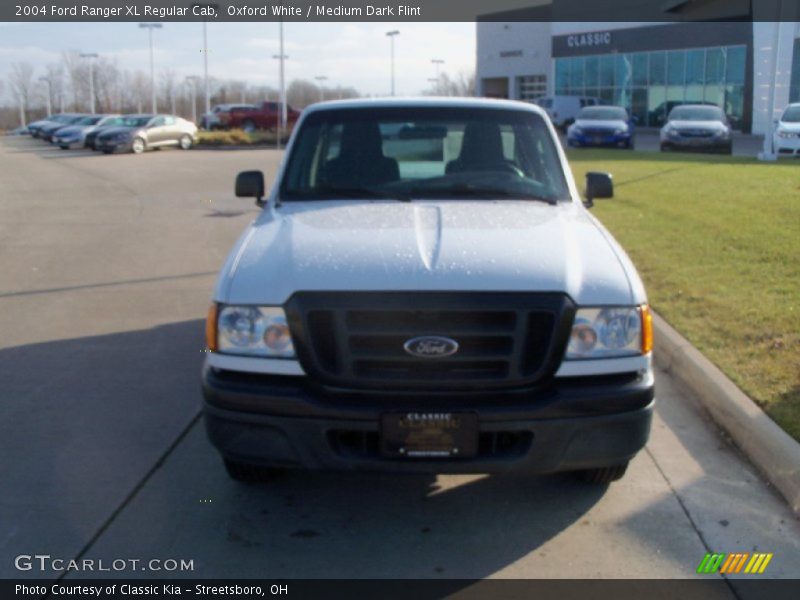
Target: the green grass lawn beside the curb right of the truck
pixel 717 242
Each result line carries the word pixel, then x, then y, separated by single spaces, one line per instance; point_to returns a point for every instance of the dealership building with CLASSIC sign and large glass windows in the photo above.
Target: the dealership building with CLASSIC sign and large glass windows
pixel 647 67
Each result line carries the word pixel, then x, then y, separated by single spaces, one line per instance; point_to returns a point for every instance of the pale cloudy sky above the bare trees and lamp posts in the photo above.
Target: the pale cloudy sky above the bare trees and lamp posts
pixel 349 54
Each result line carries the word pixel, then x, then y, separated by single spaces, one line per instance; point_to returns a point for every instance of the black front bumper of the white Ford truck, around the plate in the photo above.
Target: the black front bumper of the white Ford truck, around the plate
pixel 570 424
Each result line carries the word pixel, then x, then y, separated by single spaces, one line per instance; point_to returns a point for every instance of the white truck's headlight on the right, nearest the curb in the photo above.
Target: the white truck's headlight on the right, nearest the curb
pixel 611 332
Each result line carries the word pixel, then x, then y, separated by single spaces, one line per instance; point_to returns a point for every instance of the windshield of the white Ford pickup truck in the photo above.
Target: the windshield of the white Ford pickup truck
pixel 424 152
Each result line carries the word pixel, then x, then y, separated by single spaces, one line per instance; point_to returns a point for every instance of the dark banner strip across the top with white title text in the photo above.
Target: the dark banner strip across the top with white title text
pixel 400 10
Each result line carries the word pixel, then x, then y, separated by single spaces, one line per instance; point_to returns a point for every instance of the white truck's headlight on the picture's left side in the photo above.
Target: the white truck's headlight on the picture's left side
pixel 252 330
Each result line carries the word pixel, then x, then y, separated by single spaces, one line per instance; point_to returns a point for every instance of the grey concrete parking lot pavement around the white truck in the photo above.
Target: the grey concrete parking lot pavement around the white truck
pixel 106 268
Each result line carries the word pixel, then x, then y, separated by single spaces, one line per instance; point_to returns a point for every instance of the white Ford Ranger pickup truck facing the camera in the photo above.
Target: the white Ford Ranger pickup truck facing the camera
pixel 425 291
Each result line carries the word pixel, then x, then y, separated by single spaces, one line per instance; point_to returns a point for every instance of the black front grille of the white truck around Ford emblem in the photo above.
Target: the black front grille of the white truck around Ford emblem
pixel 358 339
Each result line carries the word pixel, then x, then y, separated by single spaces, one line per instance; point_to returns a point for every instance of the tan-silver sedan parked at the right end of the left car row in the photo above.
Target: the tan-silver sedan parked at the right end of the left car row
pixel 142 132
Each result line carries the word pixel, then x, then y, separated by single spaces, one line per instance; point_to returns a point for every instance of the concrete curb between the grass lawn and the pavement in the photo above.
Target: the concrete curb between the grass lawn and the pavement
pixel 770 448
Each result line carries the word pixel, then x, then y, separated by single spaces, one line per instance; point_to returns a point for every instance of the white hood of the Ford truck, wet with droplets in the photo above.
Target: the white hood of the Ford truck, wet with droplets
pixel 437 246
